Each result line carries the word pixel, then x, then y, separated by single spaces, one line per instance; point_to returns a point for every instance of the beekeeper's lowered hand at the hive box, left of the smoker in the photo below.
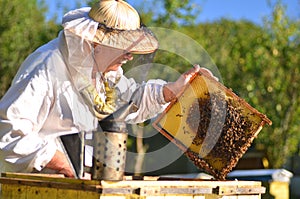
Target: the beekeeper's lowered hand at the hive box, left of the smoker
pixel 60 164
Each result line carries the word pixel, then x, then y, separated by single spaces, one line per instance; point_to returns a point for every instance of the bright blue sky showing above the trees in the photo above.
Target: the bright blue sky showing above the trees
pixel 252 10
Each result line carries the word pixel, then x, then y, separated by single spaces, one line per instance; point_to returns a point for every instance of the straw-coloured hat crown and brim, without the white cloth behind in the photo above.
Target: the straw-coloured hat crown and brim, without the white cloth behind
pixel 119 27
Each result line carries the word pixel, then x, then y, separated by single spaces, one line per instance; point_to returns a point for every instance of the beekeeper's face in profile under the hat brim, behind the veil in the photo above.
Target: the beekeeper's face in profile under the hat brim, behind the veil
pixel 109 59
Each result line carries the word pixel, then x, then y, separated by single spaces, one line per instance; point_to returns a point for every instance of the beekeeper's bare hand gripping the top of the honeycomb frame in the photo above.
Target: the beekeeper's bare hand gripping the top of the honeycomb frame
pixel 172 89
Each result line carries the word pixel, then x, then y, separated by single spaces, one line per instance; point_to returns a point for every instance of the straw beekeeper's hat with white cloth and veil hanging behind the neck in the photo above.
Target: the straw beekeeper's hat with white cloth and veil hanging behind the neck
pixel 111 23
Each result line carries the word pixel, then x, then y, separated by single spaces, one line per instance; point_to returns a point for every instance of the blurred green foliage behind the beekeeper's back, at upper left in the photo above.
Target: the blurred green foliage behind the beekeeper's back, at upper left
pixel 21 32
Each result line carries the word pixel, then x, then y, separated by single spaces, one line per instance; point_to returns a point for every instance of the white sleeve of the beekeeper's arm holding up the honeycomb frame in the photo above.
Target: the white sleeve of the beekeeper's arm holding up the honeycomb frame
pixel 147 96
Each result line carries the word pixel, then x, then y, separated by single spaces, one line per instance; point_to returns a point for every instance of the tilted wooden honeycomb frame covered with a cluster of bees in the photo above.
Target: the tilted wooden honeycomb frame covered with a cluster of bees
pixel 211 125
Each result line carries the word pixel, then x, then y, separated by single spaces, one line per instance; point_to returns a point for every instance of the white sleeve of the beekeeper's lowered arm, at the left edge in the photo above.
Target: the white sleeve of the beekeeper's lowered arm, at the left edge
pixel 23 111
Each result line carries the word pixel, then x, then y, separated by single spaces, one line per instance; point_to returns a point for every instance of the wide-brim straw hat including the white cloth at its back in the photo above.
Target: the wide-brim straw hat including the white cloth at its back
pixel 112 23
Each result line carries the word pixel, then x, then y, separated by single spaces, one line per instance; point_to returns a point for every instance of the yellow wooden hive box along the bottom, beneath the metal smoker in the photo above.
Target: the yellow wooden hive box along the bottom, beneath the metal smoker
pixel 39 186
